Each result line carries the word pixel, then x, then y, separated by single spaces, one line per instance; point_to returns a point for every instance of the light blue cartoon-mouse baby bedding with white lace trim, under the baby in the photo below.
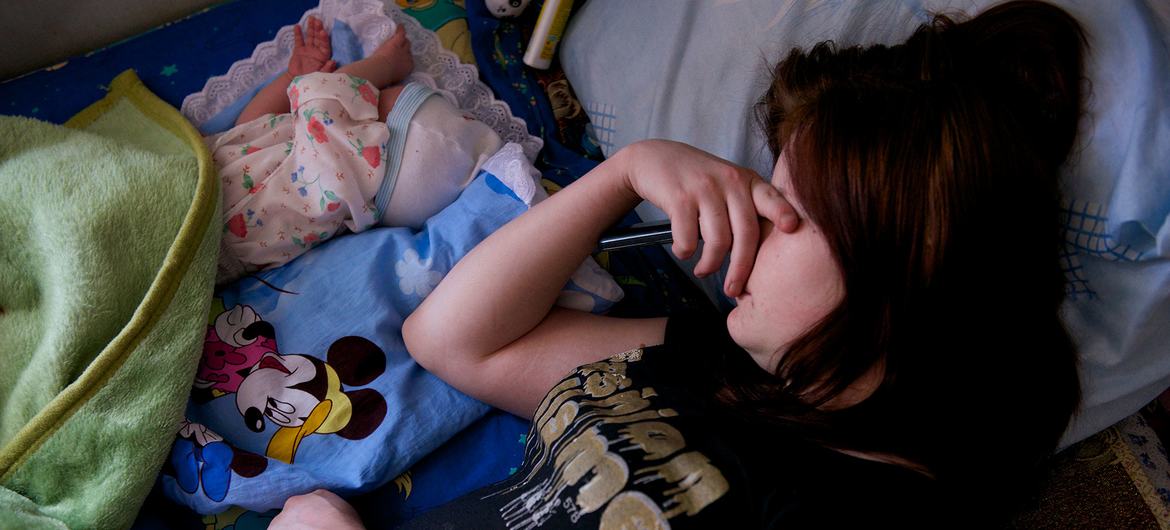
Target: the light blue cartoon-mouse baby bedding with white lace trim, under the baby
pixel 305 382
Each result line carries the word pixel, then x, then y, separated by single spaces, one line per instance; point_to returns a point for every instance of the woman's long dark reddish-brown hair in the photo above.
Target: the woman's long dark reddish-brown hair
pixel 933 170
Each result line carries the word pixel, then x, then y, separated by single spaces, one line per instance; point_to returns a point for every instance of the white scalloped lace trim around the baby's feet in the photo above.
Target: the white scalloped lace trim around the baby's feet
pixel 373 22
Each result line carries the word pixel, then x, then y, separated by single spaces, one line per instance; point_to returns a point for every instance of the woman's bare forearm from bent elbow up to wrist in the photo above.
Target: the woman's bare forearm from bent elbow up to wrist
pixel 507 285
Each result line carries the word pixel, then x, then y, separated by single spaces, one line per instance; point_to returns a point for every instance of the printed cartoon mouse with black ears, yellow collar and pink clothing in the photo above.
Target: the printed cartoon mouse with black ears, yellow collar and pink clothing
pixel 298 394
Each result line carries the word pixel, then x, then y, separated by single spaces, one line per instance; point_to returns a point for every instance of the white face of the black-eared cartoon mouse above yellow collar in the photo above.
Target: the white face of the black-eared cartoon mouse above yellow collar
pixel 271 390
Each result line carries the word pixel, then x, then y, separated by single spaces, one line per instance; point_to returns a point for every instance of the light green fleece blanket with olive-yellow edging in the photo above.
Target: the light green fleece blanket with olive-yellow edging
pixel 108 249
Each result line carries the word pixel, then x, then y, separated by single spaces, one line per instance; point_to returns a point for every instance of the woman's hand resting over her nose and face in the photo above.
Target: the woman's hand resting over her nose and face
pixel 706 195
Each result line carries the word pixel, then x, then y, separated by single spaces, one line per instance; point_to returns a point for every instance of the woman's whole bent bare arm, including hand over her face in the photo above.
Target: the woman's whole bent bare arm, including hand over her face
pixel 491 329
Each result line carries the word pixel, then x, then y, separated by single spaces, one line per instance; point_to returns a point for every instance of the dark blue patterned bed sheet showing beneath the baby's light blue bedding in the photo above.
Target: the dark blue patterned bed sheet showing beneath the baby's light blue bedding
pixel 177 59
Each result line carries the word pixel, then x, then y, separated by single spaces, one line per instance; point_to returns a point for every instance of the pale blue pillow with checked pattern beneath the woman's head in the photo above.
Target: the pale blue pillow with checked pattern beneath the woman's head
pixel 698 86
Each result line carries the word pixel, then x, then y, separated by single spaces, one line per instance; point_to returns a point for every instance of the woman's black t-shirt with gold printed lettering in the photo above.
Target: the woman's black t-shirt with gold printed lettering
pixel 636 442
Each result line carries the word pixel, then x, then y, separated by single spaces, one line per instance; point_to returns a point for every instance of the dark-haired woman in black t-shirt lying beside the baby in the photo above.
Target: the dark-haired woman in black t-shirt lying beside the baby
pixel 896 357
